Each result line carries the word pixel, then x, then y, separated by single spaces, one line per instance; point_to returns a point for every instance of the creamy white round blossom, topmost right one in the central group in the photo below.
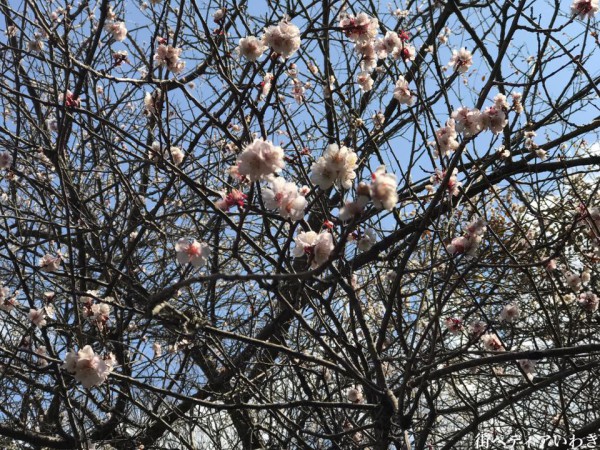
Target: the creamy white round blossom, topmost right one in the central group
pixel 336 166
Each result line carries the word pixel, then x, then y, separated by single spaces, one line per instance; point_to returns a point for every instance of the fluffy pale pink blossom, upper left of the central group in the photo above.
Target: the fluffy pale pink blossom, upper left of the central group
pixel 260 159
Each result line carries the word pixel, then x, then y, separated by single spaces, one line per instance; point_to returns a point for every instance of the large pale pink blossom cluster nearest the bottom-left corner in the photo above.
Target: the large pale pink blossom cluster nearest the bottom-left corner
pixel 89 368
